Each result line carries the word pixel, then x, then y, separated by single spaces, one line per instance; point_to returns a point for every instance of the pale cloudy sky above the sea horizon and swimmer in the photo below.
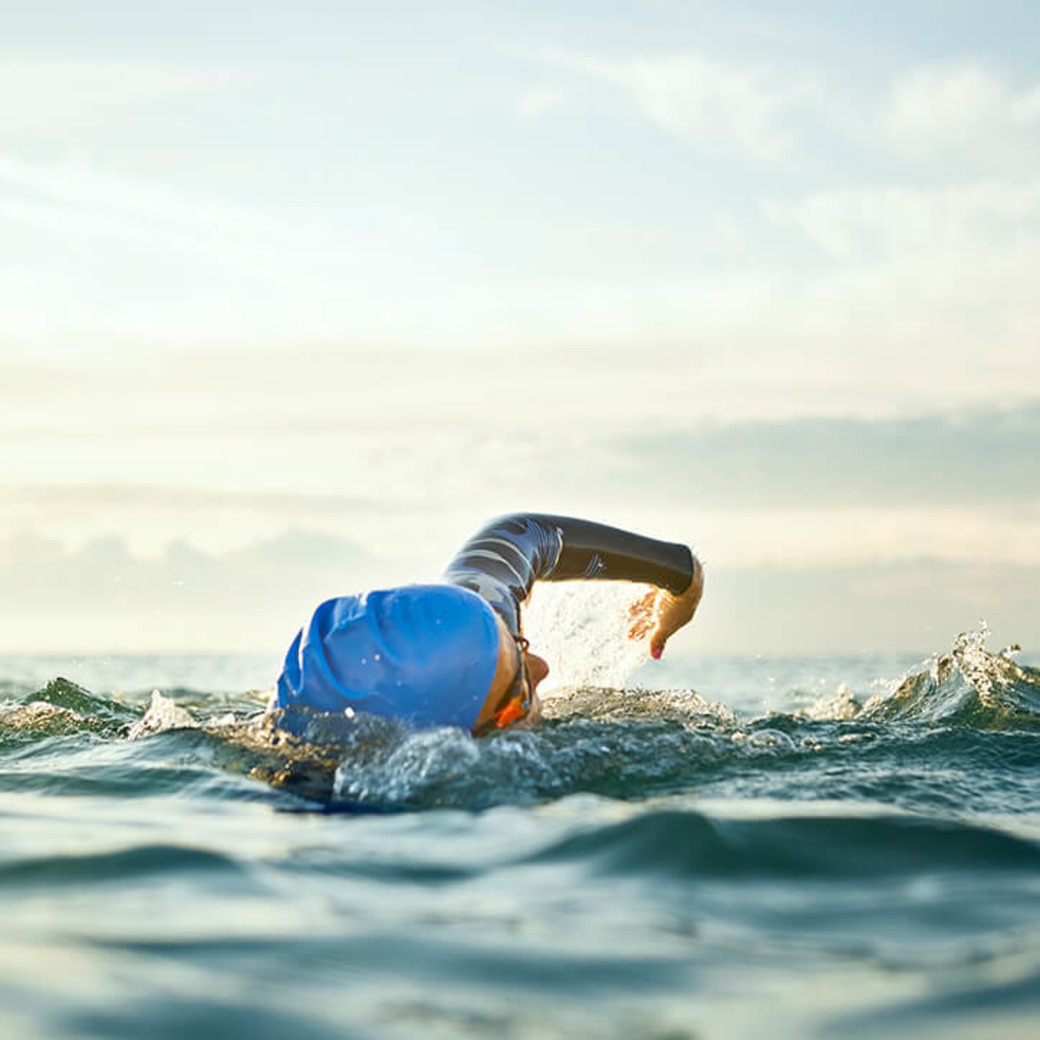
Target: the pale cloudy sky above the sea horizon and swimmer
pixel 294 298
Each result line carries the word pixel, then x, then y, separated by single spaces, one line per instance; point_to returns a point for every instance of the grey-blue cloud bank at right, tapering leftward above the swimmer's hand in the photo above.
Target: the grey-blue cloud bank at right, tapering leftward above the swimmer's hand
pixel 987 459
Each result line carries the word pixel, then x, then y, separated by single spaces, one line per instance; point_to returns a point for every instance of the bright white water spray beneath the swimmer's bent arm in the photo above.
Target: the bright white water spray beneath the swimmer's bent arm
pixel 582 630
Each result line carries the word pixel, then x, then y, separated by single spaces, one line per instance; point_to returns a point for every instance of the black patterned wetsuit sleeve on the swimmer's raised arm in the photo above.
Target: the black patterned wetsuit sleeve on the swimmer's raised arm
pixel 504 561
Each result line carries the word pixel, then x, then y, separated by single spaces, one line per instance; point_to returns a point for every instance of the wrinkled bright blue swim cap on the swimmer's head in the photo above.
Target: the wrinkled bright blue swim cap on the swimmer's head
pixel 426 655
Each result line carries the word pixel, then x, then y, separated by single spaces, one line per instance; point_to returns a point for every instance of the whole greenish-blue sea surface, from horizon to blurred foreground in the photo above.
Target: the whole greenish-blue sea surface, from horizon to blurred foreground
pixel 817 847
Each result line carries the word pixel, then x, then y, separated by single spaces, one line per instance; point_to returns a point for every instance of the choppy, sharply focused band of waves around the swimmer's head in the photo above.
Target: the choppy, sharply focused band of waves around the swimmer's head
pixel 957 735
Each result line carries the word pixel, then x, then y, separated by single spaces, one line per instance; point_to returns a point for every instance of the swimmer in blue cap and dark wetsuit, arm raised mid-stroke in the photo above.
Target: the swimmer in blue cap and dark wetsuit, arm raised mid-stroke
pixel 454 654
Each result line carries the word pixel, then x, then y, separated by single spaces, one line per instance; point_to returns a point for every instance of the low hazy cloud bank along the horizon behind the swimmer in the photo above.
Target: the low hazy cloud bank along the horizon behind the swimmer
pixel 102 599
